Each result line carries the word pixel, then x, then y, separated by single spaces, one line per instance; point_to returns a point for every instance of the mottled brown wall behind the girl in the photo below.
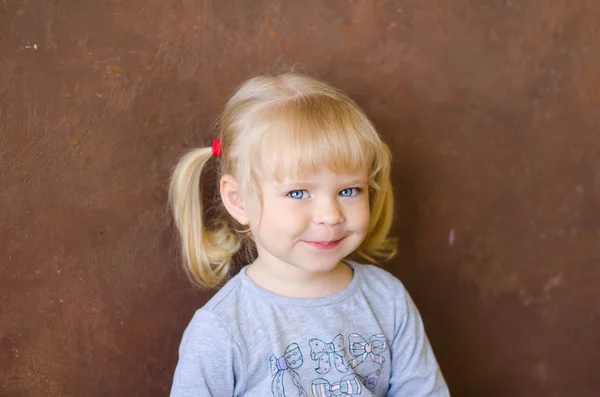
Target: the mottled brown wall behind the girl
pixel 492 109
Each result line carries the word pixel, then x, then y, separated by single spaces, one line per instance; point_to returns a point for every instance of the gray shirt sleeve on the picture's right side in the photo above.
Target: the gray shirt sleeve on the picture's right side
pixel 415 371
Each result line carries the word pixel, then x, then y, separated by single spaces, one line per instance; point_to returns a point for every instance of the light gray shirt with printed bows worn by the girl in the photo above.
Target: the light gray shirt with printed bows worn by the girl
pixel 367 340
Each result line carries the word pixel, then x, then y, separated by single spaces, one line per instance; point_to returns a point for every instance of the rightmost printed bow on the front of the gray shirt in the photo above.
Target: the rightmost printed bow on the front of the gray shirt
pixel 367 357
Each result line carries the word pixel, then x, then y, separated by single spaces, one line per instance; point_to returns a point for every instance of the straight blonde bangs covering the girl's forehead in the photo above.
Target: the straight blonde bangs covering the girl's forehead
pixel 304 135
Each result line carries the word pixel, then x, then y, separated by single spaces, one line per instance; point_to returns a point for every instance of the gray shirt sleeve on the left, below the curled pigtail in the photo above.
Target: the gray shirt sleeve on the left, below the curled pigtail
pixel 210 362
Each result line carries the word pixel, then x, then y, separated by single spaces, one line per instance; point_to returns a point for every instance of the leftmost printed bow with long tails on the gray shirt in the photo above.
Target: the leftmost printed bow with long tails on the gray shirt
pixel 286 381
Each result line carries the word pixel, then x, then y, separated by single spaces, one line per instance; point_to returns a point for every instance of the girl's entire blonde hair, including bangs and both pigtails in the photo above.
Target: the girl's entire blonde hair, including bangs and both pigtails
pixel 315 125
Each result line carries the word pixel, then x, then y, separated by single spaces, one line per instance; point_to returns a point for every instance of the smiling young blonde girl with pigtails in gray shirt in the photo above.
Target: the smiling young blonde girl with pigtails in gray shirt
pixel 304 179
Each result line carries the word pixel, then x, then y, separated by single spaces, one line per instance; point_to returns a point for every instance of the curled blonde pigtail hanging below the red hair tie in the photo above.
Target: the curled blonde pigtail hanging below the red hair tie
pixel 207 253
